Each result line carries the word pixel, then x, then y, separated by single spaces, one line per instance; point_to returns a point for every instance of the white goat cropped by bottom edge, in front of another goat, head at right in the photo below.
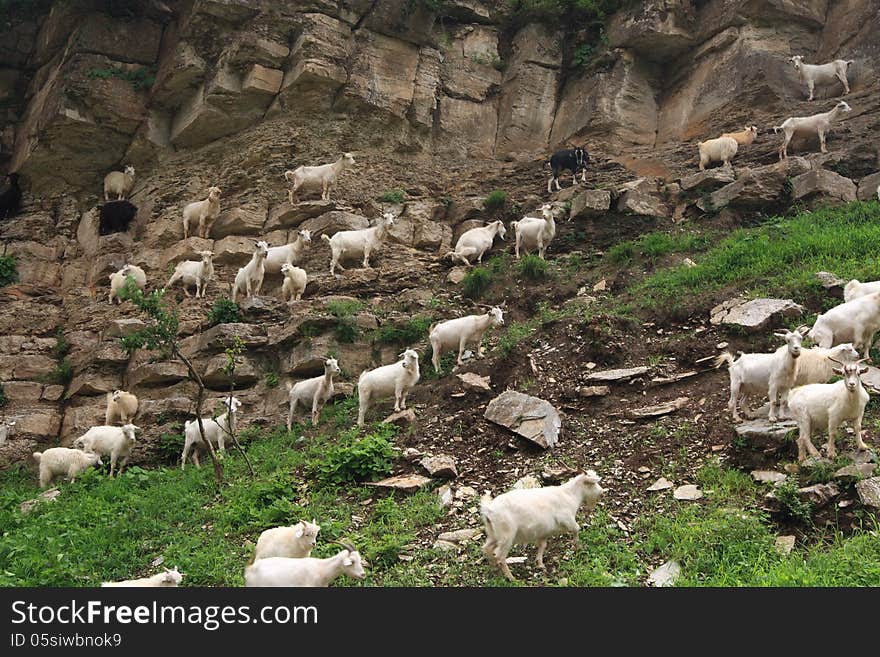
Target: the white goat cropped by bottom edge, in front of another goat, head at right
pixel 308 571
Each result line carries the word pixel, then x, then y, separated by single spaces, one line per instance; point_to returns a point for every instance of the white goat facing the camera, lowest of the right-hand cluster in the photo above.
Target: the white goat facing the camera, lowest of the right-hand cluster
pixel 828 405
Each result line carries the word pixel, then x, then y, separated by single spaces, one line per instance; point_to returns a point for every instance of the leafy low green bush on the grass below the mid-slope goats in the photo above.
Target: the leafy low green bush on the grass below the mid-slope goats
pixel 356 459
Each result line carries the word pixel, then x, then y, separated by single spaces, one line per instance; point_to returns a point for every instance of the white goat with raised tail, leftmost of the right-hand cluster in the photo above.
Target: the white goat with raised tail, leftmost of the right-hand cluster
pixel 764 374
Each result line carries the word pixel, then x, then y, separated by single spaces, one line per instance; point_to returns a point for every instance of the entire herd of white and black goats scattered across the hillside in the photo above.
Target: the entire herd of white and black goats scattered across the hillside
pixel 793 378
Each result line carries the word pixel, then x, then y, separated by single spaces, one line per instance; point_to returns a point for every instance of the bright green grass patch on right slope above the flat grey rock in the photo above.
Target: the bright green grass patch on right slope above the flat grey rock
pixel 779 257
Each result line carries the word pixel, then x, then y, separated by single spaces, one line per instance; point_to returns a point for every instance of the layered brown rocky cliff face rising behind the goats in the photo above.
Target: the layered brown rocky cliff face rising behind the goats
pixel 444 103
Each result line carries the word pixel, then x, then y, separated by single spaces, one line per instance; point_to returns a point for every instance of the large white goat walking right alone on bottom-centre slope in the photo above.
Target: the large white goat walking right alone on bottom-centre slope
pixel 533 515
